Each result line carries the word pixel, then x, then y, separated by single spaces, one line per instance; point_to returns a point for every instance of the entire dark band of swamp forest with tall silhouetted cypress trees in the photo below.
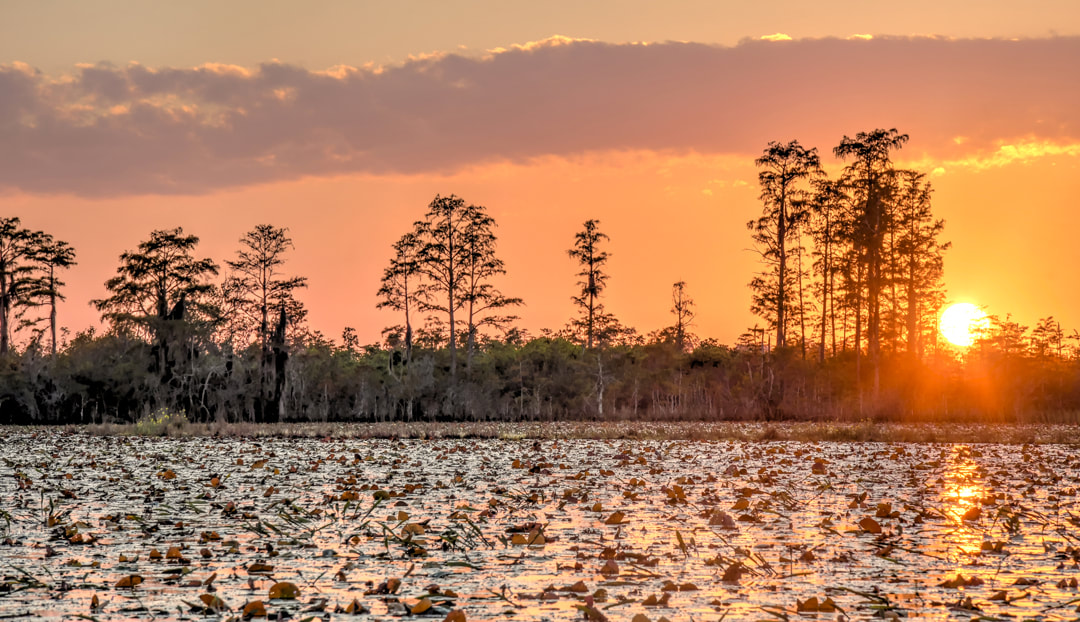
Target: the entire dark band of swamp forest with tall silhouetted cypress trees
pixel 849 295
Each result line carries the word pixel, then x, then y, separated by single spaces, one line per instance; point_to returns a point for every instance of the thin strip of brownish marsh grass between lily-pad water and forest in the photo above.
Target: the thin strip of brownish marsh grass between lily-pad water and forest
pixel 838 432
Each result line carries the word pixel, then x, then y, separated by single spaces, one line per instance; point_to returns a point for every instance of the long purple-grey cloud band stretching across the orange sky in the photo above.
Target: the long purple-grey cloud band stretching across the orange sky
pixel 109 130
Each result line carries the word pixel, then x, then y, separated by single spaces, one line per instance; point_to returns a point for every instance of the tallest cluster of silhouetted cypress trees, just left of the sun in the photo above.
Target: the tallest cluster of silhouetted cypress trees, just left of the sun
pixel 859 256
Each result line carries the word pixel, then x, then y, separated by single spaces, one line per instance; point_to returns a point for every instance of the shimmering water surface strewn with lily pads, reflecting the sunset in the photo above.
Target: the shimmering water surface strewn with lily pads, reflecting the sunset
pixel 536 531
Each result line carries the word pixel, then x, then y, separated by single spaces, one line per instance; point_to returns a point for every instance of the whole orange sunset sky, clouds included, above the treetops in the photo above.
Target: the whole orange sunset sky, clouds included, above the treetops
pixel 343 120
